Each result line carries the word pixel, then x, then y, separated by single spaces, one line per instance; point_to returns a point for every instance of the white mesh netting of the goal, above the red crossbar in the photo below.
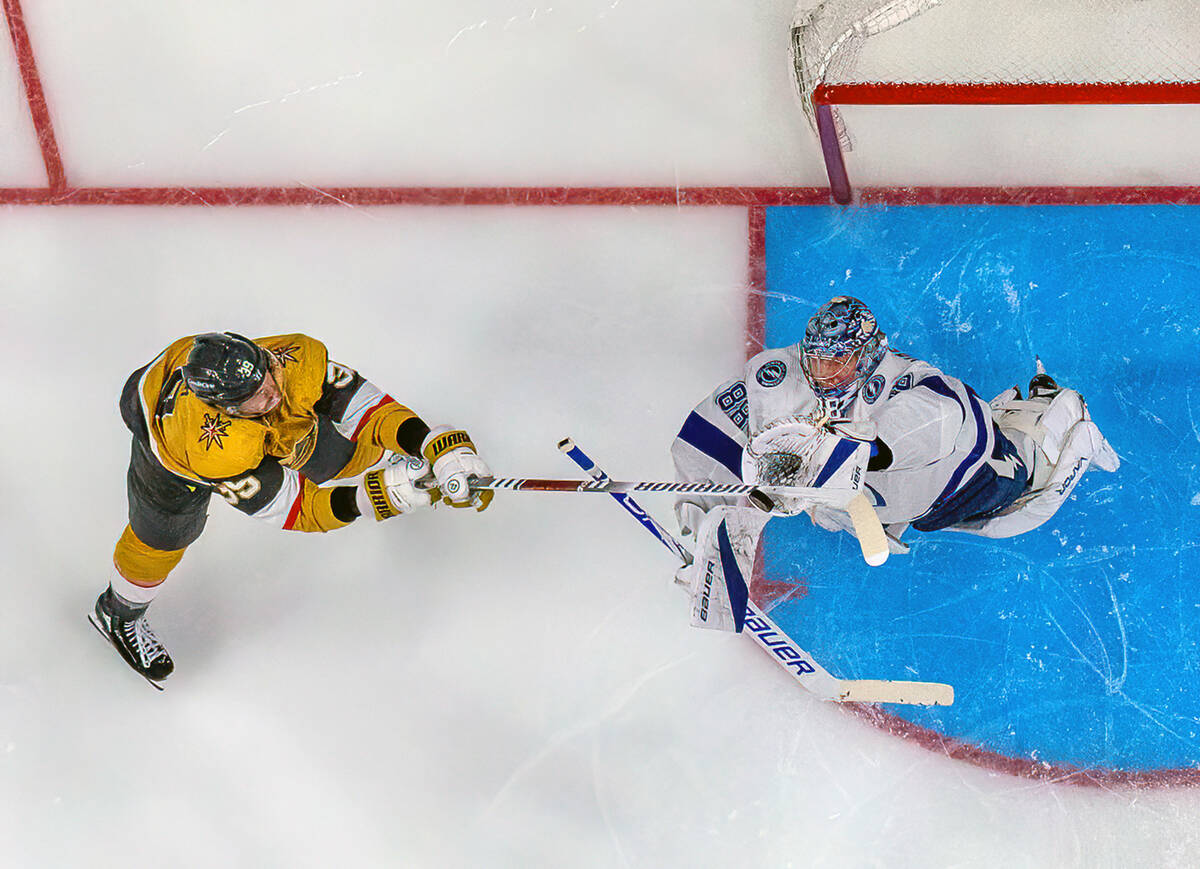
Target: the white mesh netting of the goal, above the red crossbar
pixel 994 43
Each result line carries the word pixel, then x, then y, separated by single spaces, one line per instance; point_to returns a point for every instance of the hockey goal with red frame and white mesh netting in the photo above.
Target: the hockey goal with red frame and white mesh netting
pixel 988 52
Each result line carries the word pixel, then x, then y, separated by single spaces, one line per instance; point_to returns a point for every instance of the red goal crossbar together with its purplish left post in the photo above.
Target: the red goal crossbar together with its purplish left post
pixel 827 97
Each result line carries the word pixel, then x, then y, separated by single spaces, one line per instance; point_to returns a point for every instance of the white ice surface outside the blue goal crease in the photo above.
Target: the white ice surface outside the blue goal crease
pixel 518 688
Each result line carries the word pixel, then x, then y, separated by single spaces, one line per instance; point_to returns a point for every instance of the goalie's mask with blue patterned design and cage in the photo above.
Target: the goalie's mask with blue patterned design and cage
pixel 843 345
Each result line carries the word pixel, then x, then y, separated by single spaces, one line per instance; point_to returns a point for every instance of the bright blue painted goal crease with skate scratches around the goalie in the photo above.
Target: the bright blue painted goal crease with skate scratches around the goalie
pixel 1072 648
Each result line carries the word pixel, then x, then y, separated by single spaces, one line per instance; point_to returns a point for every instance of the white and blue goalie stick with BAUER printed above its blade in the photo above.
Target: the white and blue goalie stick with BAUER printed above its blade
pixel 812 676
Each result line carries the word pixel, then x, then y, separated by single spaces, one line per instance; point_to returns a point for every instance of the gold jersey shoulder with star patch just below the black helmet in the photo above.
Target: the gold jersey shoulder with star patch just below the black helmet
pixel 209 444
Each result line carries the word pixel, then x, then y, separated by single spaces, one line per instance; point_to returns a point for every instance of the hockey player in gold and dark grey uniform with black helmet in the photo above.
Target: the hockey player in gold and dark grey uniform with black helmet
pixel 262 424
